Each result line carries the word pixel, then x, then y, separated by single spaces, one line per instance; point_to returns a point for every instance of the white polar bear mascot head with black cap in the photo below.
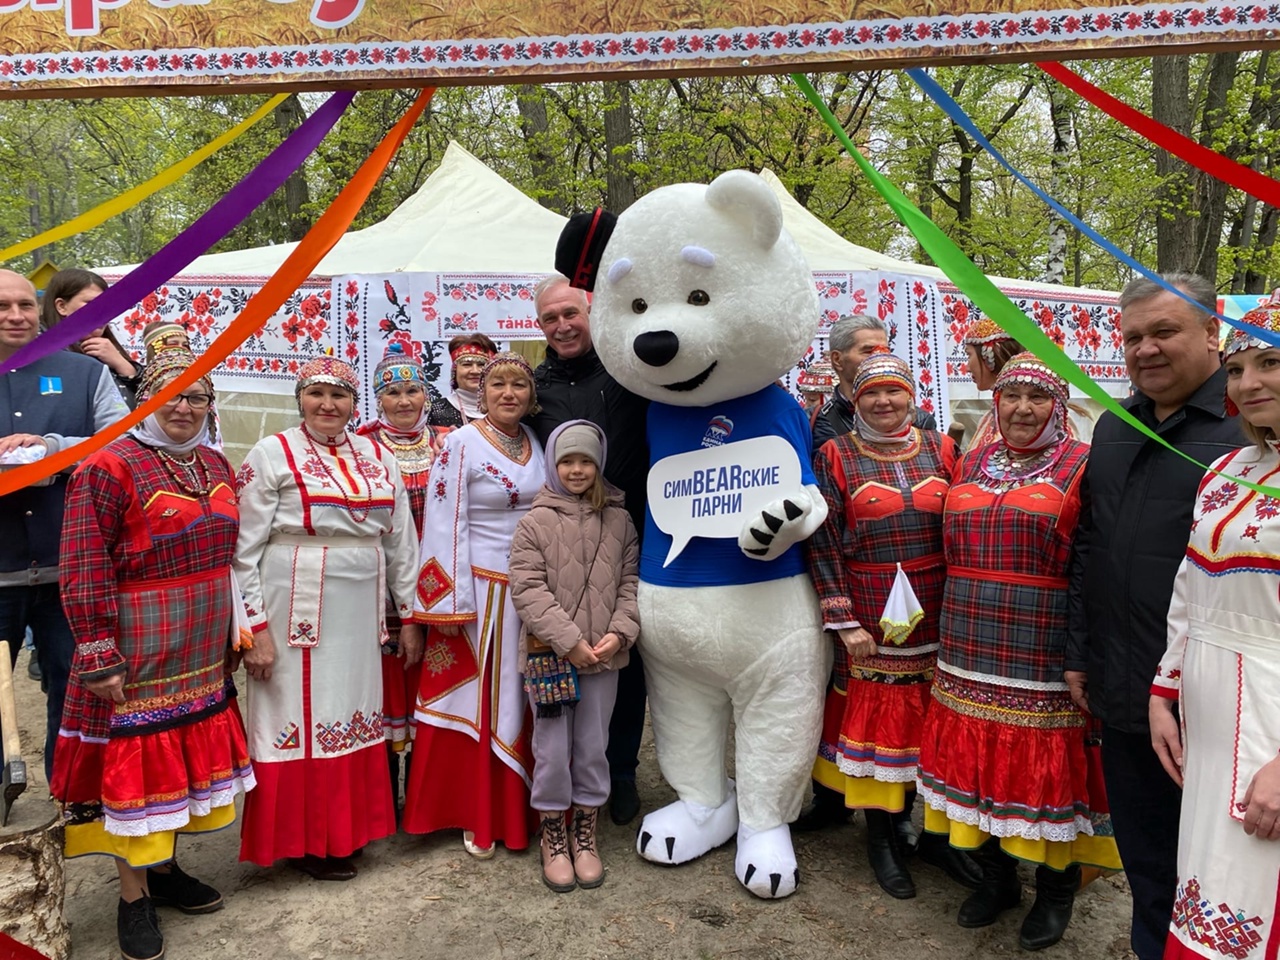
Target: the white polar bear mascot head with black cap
pixel 702 295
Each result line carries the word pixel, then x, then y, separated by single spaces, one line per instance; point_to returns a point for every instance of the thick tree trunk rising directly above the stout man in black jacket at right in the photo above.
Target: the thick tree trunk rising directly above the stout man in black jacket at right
pixel 1171 106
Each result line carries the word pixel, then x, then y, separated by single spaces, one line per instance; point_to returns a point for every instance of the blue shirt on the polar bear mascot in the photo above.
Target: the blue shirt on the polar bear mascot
pixel 720 563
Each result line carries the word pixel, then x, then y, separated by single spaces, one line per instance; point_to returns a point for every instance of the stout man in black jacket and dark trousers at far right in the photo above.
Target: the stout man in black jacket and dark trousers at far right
pixel 1137 501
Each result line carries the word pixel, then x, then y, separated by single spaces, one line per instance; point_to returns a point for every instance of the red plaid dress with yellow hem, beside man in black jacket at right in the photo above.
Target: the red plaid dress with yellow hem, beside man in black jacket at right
pixel 1004 748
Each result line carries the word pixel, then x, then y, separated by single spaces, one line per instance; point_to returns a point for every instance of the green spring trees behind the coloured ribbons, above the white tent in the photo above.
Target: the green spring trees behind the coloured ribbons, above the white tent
pixel 577 145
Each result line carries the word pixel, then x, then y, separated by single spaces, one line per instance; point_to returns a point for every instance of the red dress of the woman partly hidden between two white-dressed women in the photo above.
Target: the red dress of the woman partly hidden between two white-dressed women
pixel 415 454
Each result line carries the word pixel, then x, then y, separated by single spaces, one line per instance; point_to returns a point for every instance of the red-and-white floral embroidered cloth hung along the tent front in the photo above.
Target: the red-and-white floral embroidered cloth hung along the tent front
pixel 358 317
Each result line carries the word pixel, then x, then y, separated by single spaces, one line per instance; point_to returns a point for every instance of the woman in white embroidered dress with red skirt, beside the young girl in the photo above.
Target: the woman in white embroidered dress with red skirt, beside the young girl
pixel 473 761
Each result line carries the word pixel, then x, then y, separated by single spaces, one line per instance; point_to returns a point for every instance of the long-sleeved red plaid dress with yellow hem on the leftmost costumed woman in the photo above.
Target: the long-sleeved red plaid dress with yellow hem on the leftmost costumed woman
pixel 148 591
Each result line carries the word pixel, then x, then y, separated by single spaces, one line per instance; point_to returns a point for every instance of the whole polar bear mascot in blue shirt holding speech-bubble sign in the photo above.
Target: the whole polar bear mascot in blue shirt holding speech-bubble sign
pixel 702 301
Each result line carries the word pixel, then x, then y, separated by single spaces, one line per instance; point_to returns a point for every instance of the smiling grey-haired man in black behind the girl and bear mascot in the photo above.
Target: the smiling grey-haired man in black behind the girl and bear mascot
pixel 573 385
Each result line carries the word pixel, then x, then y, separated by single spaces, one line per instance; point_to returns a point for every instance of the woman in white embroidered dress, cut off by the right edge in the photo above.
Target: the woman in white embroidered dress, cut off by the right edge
pixel 1223 670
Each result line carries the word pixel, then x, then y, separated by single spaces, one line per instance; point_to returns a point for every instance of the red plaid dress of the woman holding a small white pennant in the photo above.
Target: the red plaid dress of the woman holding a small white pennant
pixel 885 508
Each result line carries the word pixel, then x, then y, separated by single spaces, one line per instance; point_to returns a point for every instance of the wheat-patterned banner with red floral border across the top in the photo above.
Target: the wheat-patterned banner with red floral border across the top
pixel 189 45
